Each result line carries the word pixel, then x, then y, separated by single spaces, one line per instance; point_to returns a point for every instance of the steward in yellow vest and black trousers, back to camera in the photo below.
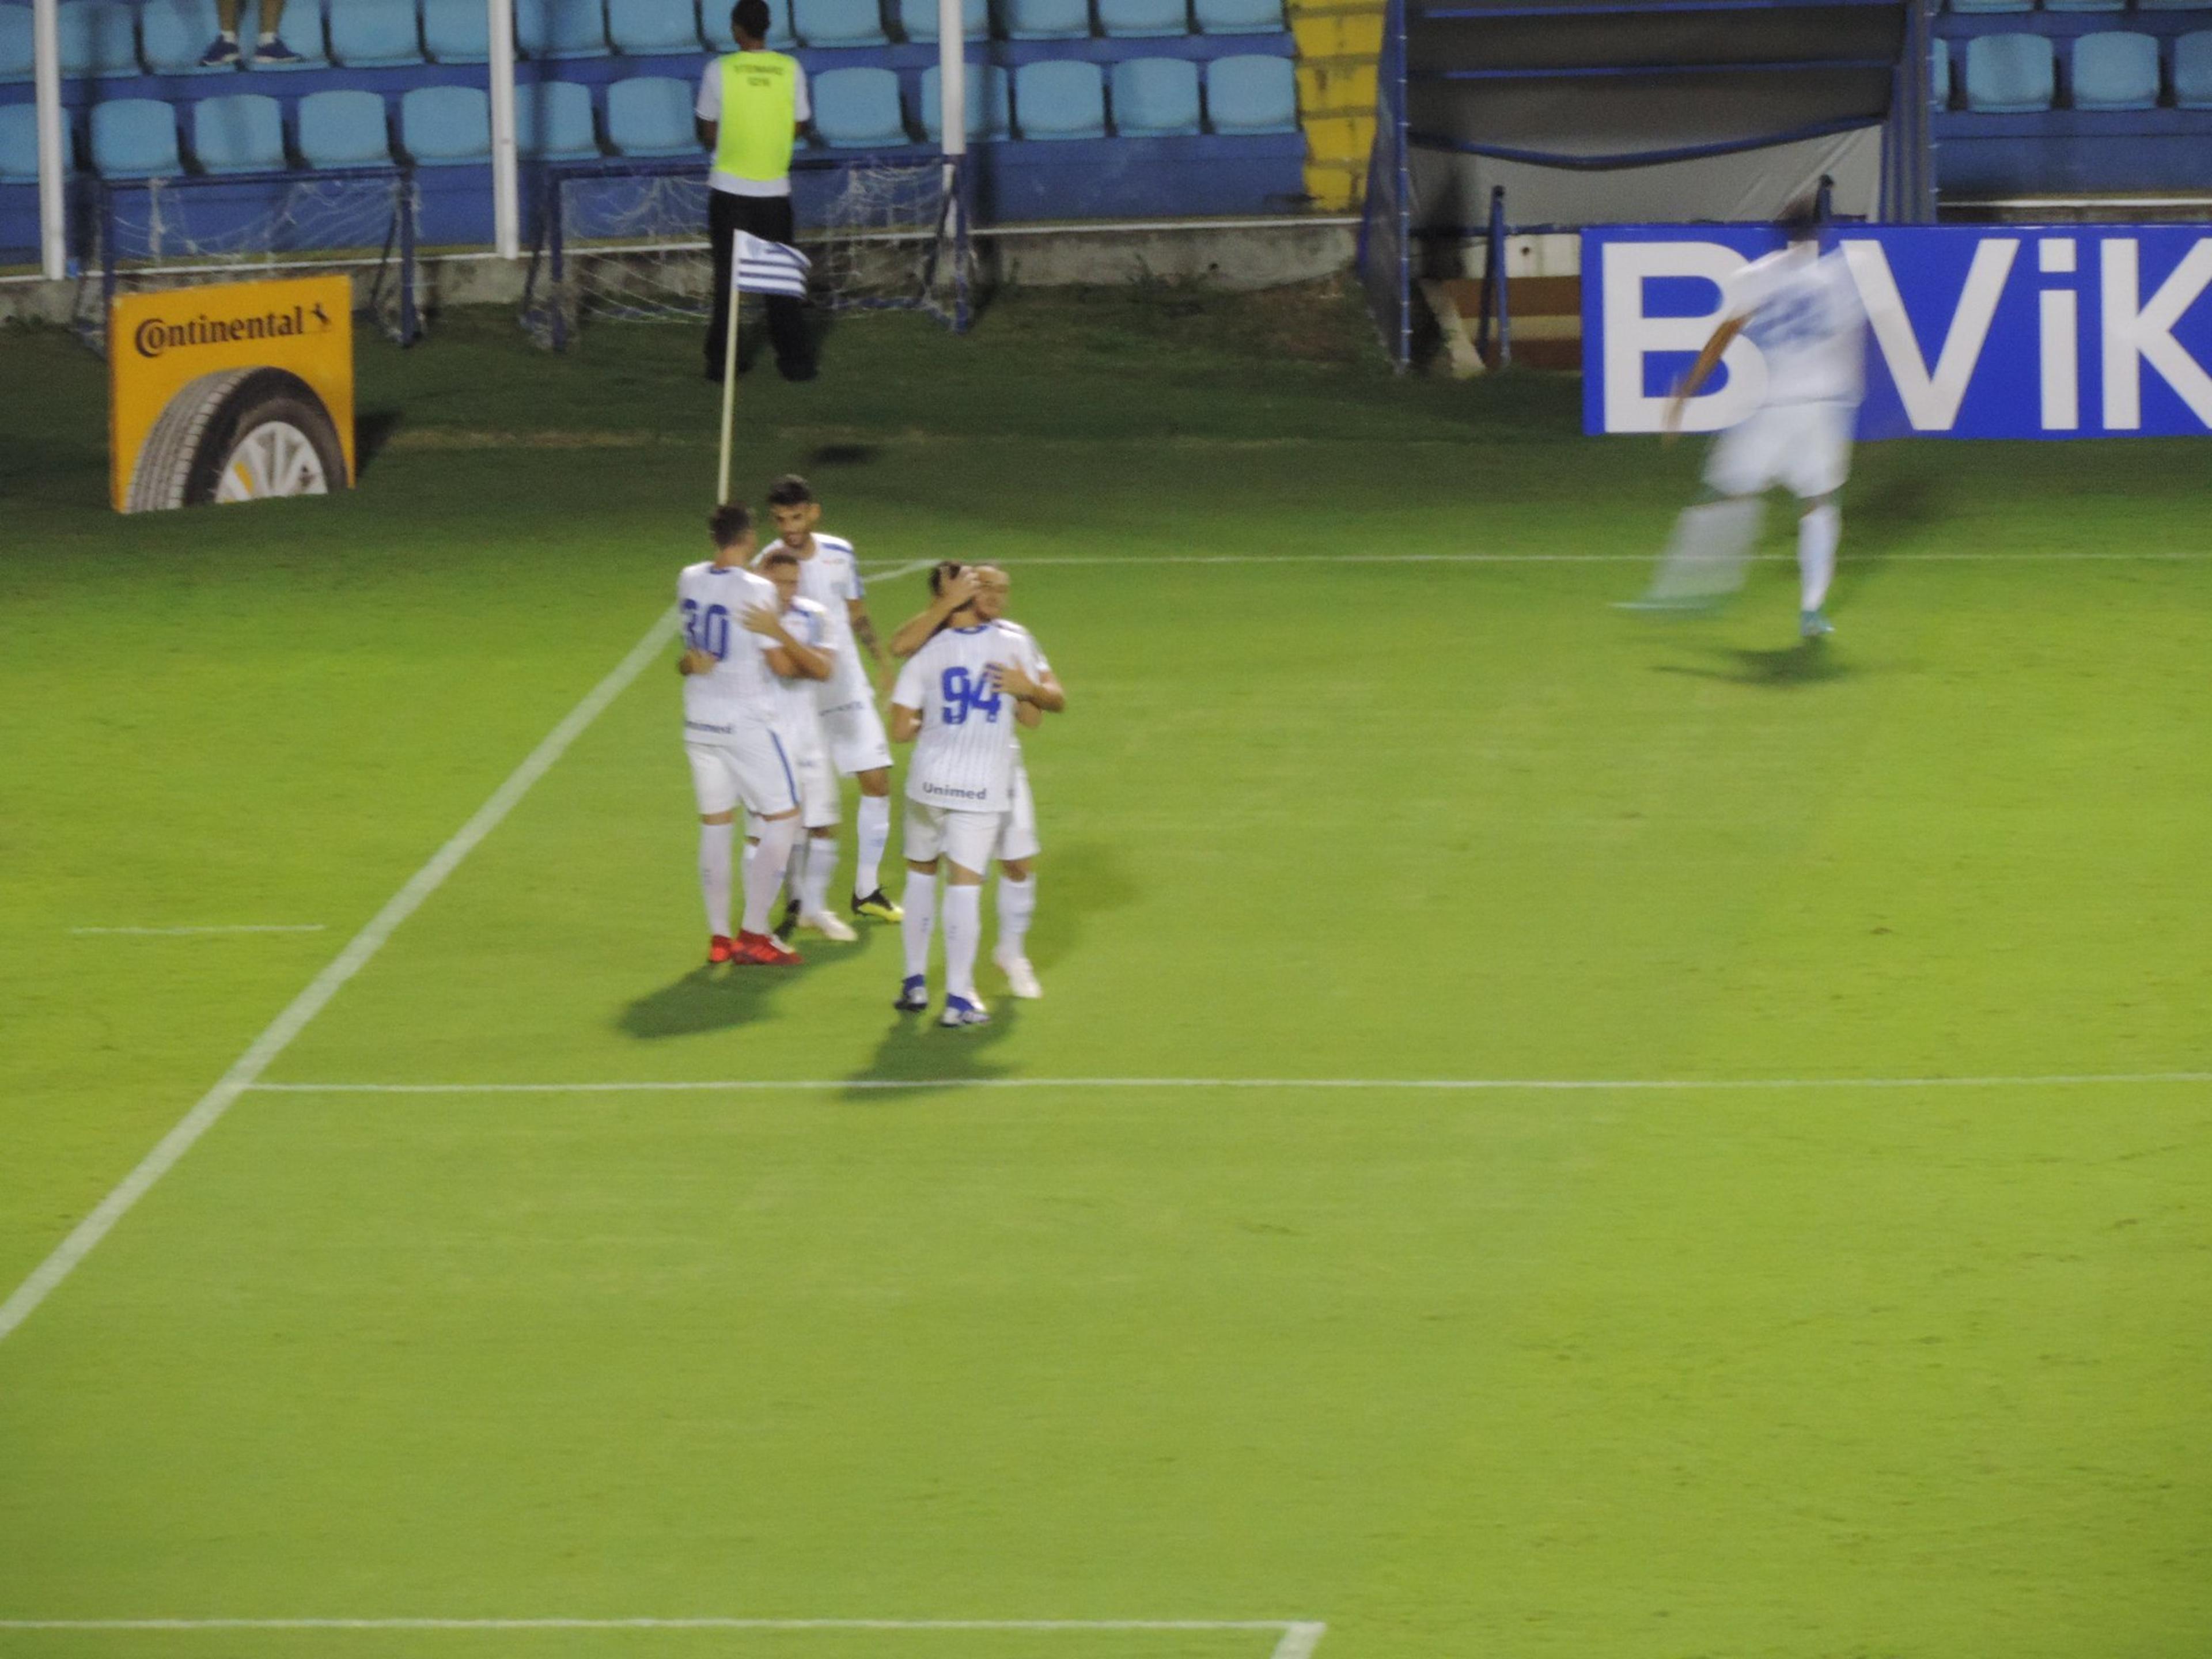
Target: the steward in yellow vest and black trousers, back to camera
pixel 753 112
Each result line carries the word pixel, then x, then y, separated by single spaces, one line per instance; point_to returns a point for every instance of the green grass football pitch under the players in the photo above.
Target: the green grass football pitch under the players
pixel 1786 1370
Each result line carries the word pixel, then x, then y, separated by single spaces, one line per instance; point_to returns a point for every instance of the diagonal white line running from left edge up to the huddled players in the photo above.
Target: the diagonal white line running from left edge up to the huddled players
pixel 249 1067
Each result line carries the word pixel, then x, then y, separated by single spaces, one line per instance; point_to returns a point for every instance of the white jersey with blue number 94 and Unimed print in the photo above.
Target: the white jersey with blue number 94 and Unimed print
pixel 963 758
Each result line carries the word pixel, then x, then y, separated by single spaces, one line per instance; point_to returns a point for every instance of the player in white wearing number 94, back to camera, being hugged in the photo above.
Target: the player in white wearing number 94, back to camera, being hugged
pixel 959 700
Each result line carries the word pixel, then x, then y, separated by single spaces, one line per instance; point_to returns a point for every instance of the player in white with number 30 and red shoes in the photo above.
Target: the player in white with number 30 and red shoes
pixel 735 647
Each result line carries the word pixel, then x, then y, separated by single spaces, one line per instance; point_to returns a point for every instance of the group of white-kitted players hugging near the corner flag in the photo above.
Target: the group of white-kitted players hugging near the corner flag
pixel 778 709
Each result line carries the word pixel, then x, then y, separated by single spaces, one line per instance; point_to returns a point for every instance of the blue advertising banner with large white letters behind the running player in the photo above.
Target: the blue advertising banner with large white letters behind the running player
pixel 1974 331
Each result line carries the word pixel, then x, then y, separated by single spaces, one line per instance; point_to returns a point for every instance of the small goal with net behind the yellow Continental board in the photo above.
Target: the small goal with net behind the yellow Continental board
pixel 178 233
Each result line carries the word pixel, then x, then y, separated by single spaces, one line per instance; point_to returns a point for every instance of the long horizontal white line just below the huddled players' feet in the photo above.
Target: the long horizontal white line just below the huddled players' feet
pixel 1448 1085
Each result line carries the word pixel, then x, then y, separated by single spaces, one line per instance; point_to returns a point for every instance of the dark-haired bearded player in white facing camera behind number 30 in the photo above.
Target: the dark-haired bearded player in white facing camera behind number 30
pixel 853 731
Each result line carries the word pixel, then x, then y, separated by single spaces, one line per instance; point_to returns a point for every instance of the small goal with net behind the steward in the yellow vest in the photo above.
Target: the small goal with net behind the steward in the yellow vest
pixel 629 242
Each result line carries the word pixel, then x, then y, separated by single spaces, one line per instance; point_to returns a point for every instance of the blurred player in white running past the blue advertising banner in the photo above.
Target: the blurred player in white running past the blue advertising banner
pixel 1802 311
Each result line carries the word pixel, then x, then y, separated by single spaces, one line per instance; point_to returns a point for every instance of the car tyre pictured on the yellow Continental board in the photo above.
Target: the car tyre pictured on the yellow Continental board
pixel 238 437
